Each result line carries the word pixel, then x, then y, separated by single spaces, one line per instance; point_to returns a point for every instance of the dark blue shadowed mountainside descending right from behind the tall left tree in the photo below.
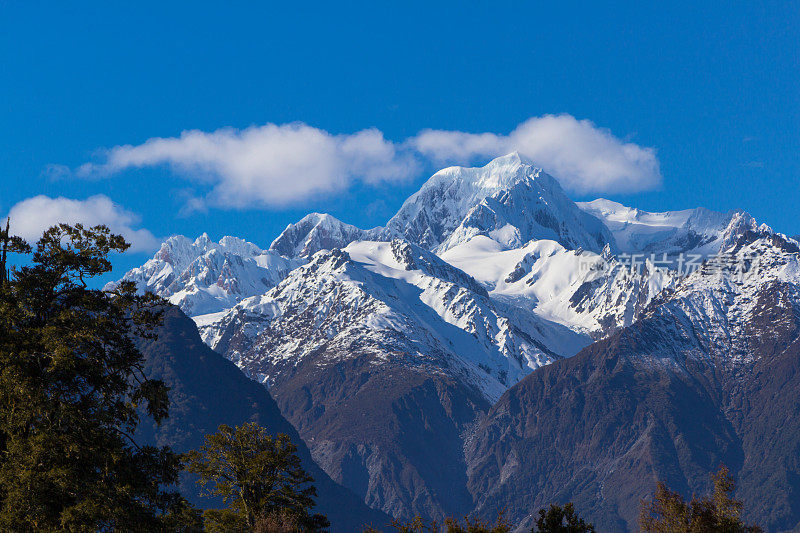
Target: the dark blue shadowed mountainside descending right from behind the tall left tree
pixel 207 390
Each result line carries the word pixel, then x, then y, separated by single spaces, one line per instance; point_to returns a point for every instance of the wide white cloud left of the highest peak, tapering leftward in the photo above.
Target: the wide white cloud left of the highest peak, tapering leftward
pixel 271 165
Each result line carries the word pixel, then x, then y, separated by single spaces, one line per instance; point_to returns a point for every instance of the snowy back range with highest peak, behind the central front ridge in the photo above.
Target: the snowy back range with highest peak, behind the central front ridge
pixel 508 225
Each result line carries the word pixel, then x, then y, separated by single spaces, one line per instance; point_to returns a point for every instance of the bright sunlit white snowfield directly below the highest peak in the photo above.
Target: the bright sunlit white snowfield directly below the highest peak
pixel 582 290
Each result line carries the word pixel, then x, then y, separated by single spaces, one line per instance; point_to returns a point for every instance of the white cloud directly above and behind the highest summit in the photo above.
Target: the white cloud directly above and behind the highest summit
pixel 584 158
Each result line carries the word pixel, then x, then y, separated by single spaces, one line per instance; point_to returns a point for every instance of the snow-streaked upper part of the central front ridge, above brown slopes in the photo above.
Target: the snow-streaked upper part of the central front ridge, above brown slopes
pixel 398 301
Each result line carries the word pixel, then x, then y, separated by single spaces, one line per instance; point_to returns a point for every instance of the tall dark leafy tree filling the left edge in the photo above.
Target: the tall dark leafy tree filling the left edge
pixel 72 392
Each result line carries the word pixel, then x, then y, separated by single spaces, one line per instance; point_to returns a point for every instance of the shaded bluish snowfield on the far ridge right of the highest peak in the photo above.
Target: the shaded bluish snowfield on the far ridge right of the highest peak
pixel 695 231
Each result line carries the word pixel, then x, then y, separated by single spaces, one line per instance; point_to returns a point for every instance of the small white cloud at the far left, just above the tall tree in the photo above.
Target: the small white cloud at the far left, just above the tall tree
pixel 31 217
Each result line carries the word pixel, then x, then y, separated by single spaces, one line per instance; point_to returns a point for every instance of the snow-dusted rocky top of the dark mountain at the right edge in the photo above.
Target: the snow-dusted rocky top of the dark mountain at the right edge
pixel 727 315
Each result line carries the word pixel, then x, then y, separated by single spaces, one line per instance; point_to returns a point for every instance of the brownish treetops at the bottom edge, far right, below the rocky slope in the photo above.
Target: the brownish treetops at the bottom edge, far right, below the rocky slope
pixel 667 512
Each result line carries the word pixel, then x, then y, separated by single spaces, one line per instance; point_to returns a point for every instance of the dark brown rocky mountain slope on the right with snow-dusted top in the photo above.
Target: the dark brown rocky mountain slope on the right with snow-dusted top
pixel 709 375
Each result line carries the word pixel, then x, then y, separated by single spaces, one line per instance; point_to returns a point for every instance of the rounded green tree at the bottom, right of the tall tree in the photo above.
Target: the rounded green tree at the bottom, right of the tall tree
pixel 259 476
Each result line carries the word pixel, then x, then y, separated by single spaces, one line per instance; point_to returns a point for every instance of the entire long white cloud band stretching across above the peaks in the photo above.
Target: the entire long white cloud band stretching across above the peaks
pixel 279 165
